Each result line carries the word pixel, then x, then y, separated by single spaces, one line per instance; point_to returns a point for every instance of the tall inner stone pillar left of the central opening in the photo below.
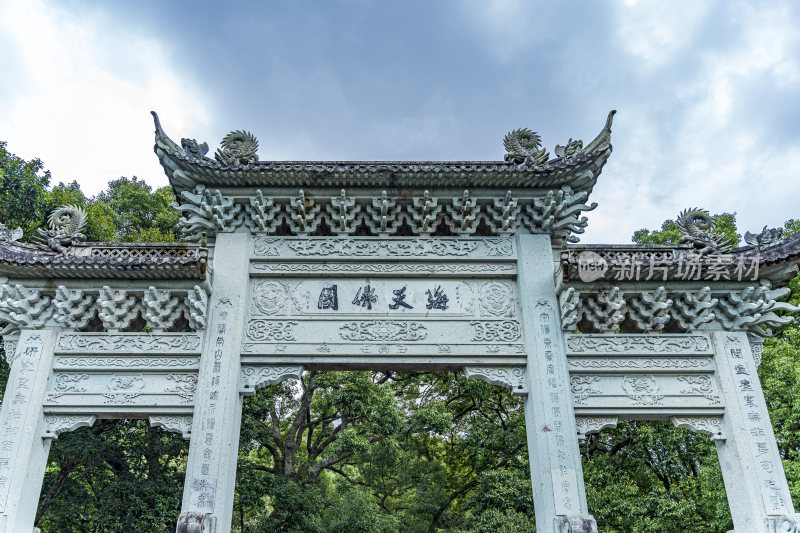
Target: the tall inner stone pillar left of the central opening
pixel 213 450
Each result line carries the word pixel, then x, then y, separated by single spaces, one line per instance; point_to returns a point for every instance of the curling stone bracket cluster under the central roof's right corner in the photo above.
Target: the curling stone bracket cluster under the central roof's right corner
pixel 557 213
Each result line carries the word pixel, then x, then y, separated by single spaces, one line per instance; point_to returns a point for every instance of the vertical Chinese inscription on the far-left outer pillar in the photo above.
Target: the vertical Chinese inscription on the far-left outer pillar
pixel 15 407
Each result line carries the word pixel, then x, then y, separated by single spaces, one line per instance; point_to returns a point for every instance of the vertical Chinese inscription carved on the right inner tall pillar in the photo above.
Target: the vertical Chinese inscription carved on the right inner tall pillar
pixel 552 367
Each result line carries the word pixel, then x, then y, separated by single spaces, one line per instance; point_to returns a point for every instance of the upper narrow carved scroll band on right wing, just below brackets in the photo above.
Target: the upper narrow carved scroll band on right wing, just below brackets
pixel 670 344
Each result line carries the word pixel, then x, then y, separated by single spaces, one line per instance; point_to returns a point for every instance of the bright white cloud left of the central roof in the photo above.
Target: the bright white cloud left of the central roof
pixel 84 86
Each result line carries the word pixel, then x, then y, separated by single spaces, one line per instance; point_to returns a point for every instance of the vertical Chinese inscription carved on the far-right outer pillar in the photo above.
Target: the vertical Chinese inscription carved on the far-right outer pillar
pixel 753 407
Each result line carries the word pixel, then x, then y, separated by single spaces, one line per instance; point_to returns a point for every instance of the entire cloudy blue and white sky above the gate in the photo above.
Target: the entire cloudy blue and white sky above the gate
pixel 707 93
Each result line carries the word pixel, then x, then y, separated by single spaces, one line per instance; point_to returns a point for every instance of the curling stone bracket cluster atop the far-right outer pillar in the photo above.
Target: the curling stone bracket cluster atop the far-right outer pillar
pixel 753 310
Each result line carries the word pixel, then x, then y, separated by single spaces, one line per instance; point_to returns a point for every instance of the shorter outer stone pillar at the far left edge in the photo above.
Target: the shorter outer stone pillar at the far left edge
pixel 23 451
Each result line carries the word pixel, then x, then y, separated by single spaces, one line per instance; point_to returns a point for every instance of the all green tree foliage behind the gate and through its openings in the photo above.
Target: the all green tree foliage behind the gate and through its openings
pixel 376 452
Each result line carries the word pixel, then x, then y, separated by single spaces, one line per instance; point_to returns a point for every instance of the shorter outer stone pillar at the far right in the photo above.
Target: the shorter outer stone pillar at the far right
pixel 758 493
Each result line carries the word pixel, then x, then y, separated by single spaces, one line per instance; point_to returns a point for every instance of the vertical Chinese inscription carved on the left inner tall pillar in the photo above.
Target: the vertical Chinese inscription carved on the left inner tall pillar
pixel 204 486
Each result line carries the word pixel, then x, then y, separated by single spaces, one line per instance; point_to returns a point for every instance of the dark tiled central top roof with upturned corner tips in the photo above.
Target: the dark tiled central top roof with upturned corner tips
pixel 185 173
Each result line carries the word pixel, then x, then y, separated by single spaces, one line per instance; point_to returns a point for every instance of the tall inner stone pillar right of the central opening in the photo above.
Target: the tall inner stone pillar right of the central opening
pixel 559 494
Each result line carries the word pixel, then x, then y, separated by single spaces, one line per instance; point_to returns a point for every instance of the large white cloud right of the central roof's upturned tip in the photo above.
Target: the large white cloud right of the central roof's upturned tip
pixel 711 142
